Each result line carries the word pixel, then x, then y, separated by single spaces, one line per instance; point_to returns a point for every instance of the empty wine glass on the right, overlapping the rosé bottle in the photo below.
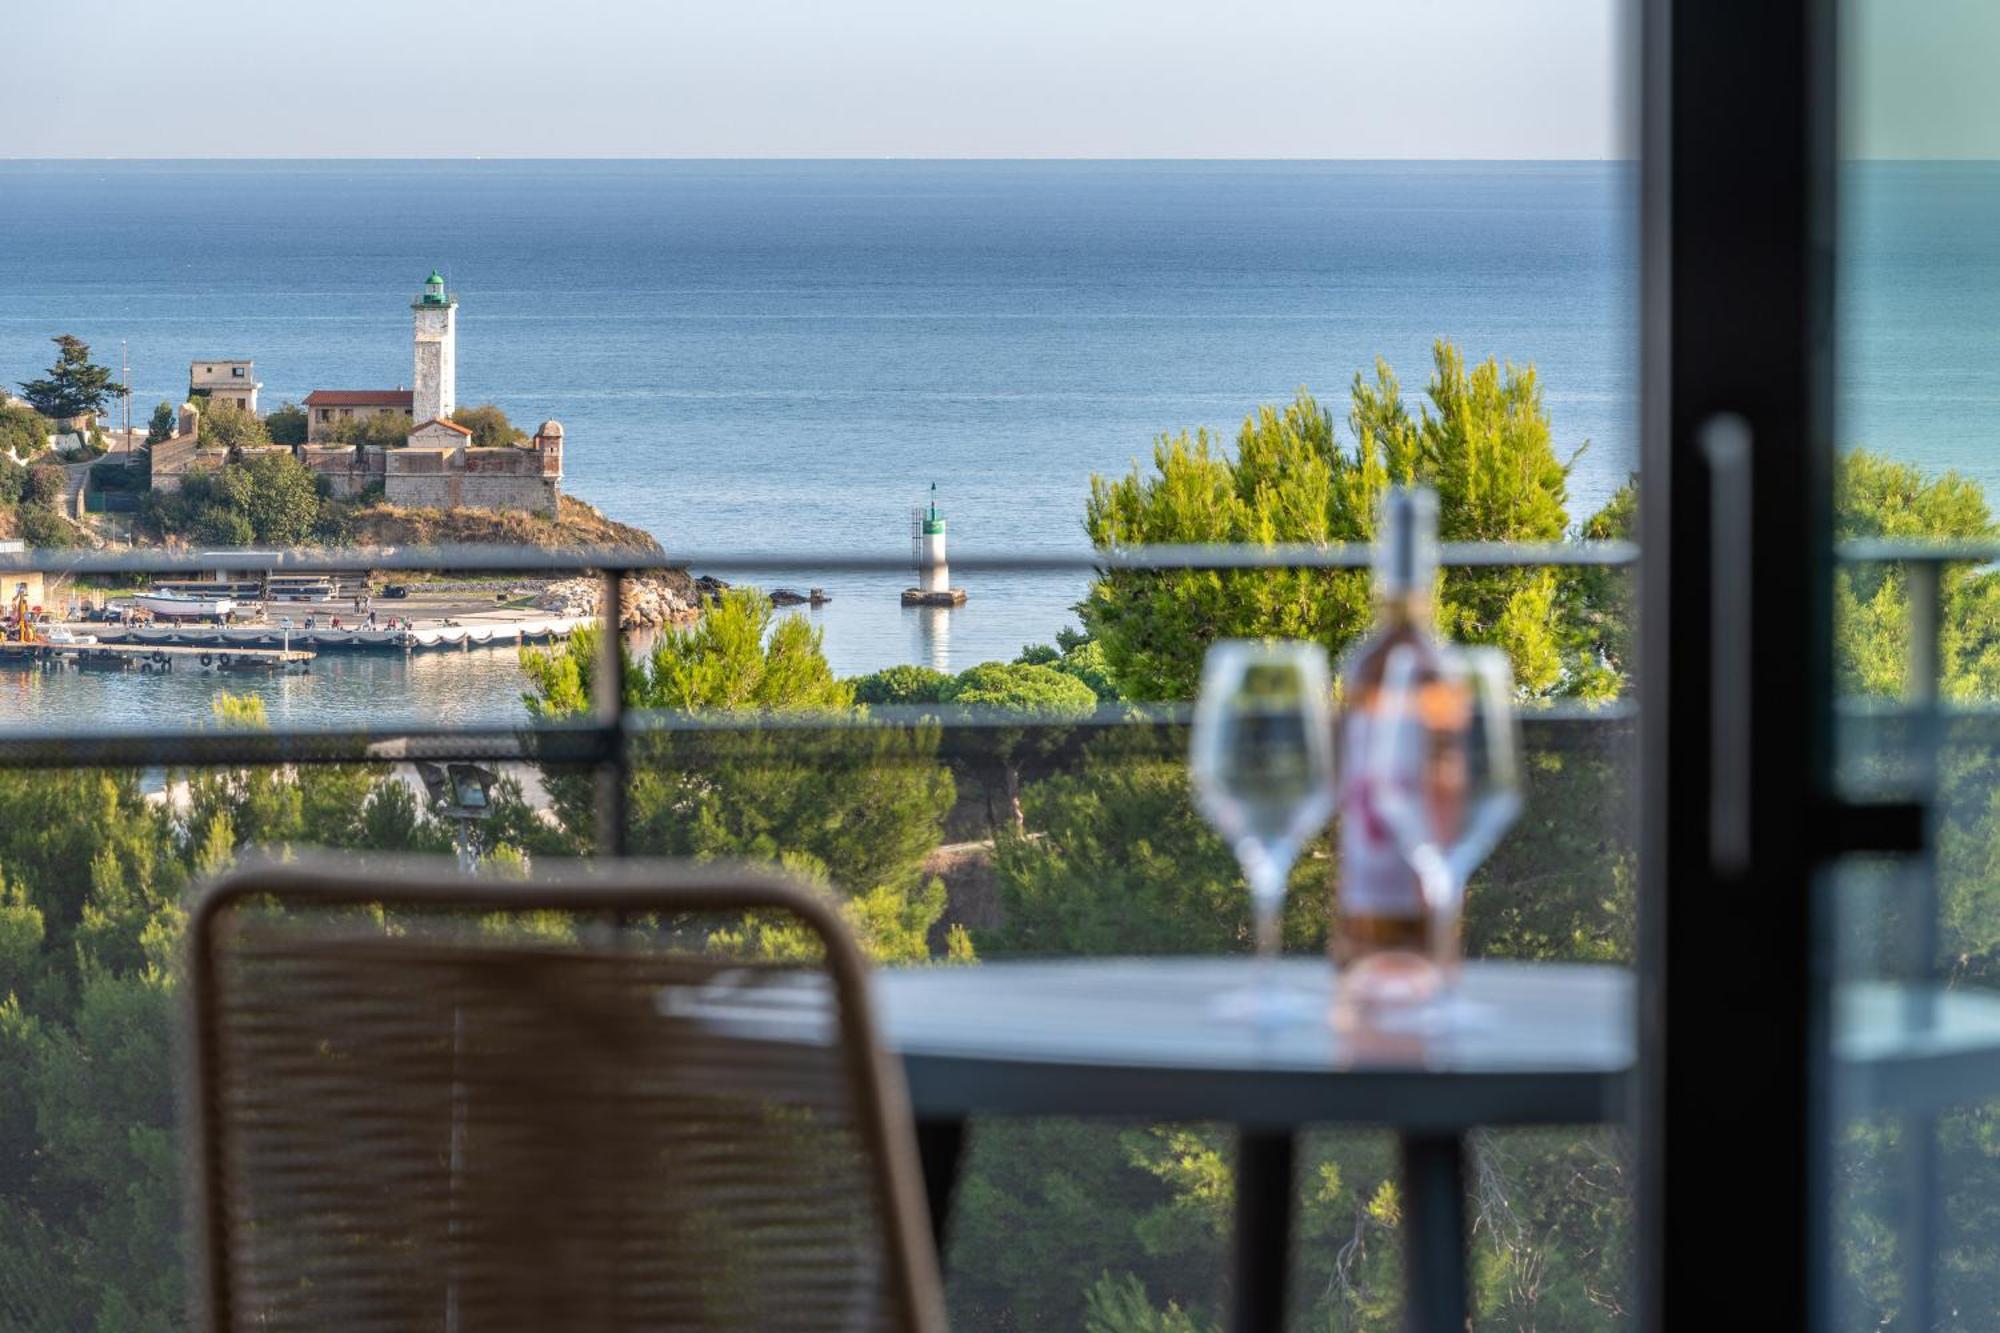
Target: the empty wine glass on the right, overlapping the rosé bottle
pixel 1453 818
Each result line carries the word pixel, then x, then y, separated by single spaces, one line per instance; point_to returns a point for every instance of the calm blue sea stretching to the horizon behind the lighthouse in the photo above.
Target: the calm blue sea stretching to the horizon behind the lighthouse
pixel 787 357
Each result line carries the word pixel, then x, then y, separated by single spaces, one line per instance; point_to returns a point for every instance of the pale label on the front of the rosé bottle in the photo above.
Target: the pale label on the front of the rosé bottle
pixel 1383 766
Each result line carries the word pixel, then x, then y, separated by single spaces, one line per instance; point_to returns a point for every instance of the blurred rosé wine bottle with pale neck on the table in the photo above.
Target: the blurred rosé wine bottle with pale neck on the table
pixel 1401 774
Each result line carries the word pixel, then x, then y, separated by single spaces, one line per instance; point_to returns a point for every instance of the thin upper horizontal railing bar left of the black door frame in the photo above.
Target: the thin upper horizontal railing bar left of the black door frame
pixel 535 559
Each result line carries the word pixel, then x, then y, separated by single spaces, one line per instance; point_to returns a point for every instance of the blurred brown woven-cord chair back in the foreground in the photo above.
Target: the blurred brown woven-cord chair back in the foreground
pixel 587 1102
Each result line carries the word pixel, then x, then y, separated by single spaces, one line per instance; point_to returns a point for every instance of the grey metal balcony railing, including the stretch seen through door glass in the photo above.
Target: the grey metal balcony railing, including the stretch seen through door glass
pixel 1909 732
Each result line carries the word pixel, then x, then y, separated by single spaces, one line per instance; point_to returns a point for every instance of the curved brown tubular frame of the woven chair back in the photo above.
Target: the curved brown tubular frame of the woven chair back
pixel 621 888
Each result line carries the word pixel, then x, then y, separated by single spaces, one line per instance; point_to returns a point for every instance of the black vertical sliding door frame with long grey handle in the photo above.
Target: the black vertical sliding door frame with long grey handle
pixel 1735 659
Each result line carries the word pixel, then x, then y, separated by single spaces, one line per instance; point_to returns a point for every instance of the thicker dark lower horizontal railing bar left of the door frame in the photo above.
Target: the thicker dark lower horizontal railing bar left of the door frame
pixel 581 746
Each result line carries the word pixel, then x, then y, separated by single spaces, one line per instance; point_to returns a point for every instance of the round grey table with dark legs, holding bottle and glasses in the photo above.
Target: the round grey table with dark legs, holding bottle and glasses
pixel 1523 1044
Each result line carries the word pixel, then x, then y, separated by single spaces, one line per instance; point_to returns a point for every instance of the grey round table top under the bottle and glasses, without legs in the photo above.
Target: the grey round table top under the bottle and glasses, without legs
pixel 1525 1044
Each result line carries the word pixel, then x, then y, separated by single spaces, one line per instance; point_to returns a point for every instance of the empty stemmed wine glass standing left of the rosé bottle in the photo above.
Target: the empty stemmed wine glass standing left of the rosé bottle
pixel 1263 764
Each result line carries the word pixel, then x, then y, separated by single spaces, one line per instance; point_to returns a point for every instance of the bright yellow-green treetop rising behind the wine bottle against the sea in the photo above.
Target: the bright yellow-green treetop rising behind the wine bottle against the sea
pixel 1483 443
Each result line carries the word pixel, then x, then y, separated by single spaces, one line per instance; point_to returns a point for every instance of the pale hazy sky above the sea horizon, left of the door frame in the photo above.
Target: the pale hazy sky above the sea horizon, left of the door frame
pixel 1199 79
